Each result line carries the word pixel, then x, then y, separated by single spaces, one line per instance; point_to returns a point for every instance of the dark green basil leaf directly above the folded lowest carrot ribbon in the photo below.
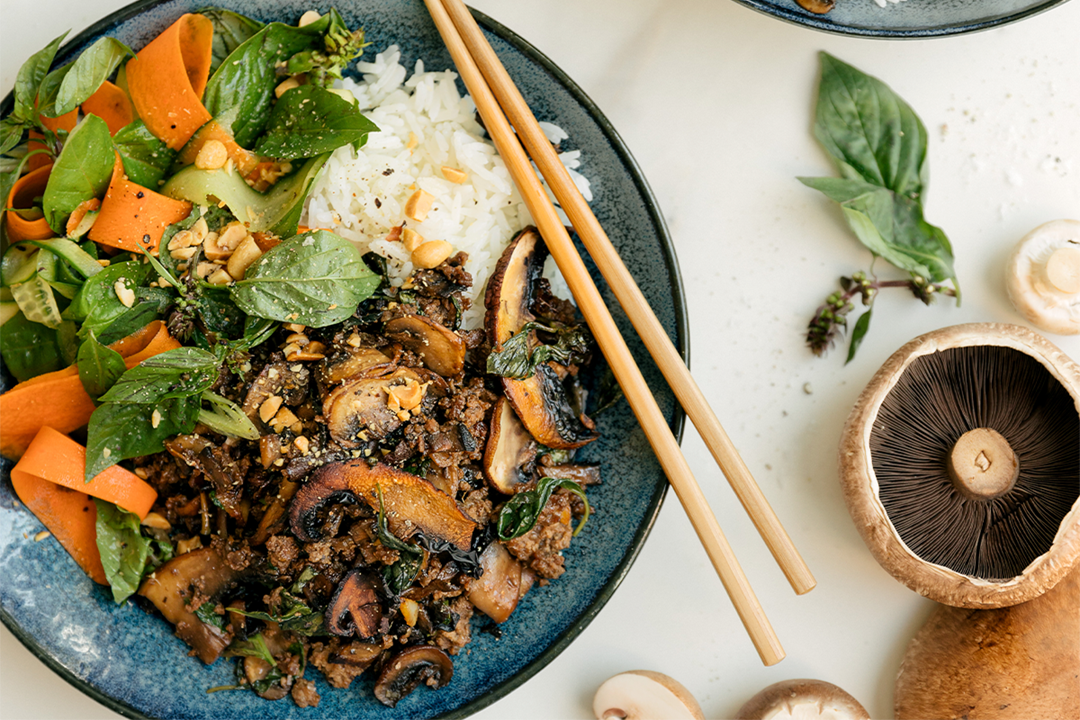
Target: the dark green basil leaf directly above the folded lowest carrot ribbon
pixel 121 431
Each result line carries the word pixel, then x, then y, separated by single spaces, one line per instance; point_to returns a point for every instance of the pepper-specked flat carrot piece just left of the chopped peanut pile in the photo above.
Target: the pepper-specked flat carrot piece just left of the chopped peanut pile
pixel 133 216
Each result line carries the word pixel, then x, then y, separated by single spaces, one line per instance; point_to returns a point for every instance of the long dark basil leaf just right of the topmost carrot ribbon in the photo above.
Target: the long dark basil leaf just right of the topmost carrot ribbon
pixel 246 83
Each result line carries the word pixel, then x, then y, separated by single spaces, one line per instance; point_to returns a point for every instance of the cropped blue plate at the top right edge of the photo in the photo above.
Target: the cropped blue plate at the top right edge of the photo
pixel 912 20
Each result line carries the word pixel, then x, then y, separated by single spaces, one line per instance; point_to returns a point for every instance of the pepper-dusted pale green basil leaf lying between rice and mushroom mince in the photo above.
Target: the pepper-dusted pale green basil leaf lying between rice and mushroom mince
pixel 316 279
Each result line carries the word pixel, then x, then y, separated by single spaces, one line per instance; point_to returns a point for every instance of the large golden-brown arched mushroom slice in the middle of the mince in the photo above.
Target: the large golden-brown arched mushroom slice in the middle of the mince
pixel 411 504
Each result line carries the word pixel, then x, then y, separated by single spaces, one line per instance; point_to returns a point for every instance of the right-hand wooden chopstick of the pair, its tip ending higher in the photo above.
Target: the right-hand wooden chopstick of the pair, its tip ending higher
pixel 633 303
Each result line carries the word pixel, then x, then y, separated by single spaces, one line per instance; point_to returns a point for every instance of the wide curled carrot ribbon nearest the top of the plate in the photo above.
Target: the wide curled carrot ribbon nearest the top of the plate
pixel 167 80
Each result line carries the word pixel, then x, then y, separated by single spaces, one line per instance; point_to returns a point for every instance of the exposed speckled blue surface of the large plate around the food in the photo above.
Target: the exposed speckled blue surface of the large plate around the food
pixel 129 659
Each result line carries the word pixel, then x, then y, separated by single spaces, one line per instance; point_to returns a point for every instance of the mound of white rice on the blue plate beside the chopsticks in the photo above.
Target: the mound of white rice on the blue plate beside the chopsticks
pixel 361 196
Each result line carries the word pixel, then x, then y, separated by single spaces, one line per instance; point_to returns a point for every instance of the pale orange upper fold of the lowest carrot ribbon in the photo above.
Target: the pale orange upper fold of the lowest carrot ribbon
pixel 57 458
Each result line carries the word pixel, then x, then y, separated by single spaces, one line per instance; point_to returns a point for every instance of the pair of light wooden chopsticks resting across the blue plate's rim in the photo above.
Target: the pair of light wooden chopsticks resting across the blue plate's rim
pixel 488 80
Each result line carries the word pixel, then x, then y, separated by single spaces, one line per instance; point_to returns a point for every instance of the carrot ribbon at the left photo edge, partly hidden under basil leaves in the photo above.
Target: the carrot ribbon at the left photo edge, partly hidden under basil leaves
pixel 59 400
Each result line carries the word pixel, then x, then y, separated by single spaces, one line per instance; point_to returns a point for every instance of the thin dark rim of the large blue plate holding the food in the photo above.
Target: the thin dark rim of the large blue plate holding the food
pixel 682 343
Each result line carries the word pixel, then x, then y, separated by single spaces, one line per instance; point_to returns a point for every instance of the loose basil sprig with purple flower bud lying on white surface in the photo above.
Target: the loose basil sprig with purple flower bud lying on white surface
pixel 880 146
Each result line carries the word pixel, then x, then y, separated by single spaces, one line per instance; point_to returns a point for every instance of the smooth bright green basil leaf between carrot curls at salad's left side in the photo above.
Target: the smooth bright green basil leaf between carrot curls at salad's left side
pixel 82 172
